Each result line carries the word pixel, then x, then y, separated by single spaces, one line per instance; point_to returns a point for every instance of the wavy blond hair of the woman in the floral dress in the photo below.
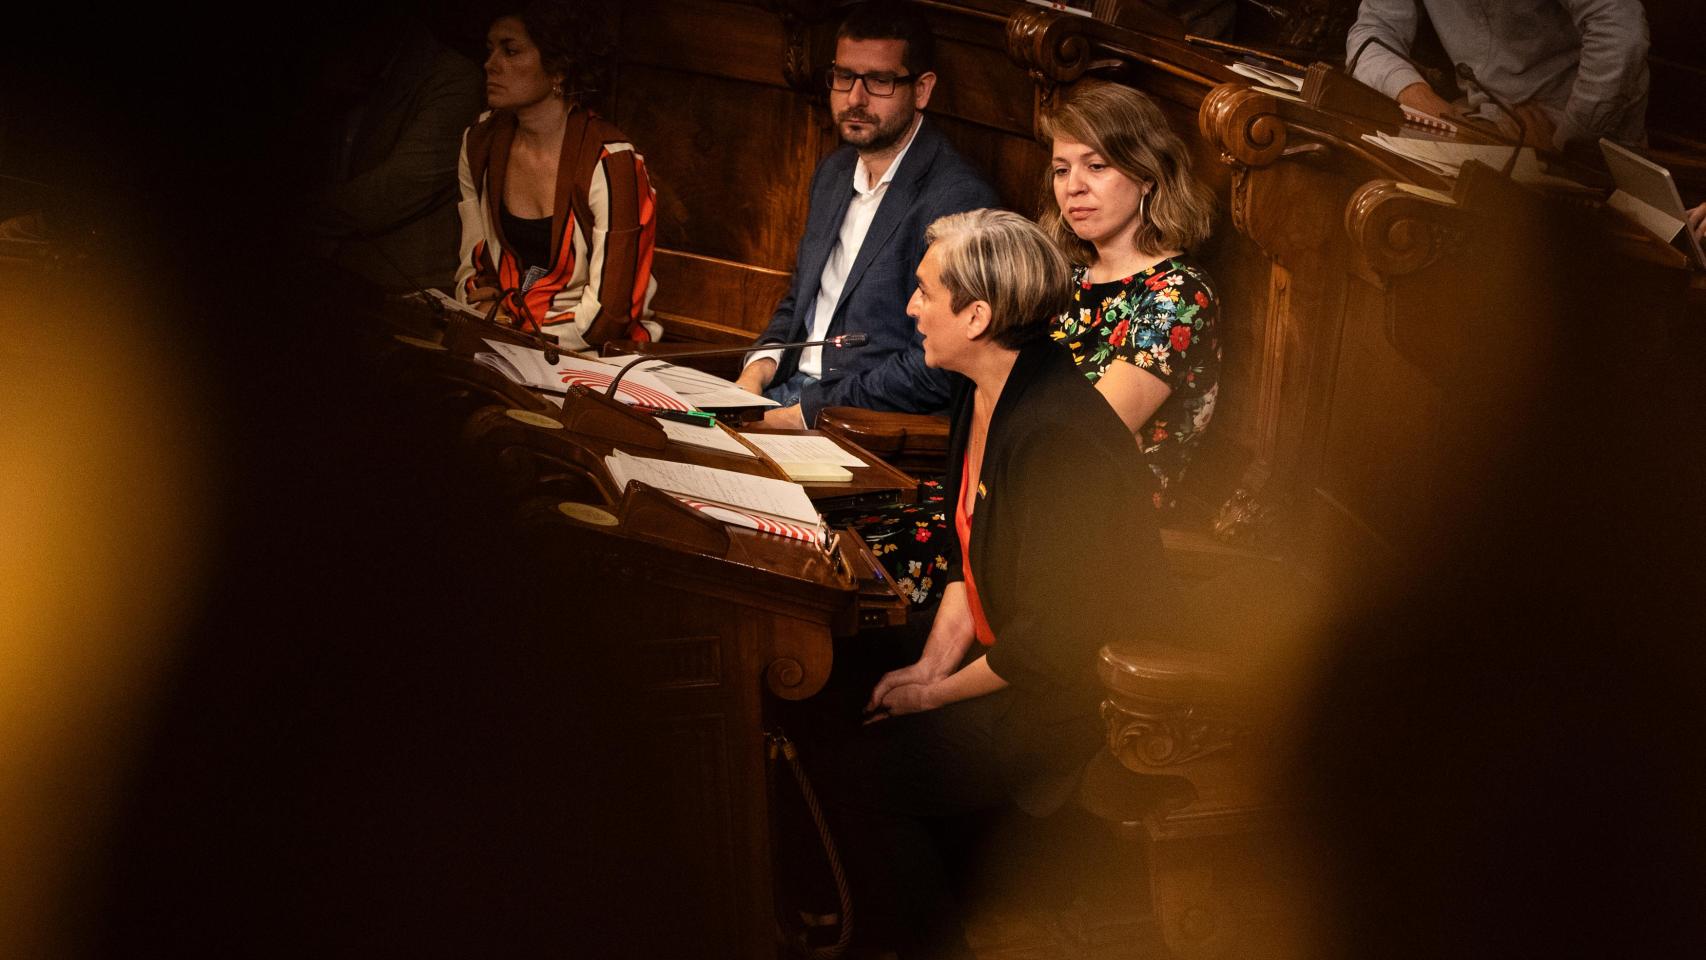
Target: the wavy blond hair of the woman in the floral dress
pixel 1132 134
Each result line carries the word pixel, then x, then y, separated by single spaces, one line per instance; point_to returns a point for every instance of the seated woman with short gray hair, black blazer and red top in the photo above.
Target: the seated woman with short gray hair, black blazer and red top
pixel 1050 521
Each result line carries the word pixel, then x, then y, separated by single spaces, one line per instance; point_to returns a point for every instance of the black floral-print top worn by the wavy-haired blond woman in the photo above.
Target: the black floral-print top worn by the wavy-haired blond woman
pixel 1164 323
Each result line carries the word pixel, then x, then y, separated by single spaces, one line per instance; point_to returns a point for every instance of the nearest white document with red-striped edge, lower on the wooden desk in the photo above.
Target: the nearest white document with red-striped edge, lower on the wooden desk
pixel 760 504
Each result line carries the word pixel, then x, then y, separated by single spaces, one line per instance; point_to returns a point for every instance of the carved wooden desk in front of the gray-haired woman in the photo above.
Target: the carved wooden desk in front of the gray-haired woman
pixel 707 620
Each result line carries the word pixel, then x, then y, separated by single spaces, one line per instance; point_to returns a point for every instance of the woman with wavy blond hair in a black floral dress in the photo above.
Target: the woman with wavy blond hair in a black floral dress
pixel 1144 318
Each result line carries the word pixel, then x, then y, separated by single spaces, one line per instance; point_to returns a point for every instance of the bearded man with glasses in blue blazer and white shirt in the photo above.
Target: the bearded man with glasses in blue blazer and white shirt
pixel 866 233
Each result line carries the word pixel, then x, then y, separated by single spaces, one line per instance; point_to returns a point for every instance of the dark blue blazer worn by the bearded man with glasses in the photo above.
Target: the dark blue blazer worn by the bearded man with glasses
pixel 890 371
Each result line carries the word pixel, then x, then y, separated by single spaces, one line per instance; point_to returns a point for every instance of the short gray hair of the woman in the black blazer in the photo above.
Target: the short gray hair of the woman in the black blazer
pixel 1004 260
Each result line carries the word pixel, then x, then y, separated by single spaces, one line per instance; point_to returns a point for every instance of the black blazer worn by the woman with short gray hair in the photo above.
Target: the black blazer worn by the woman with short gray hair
pixel 1057 579
